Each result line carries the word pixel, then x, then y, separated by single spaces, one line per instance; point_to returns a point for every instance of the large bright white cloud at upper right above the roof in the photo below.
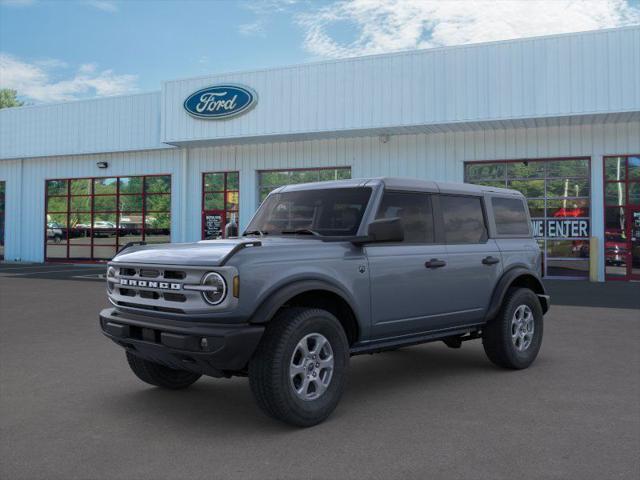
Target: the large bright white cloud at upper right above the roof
pixel 390 25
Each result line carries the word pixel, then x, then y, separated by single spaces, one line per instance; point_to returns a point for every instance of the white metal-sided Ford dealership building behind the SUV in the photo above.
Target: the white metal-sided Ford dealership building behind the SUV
pixel 555 117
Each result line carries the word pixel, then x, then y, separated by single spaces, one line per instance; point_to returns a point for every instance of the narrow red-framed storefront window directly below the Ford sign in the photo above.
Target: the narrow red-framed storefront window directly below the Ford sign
pixel 220 204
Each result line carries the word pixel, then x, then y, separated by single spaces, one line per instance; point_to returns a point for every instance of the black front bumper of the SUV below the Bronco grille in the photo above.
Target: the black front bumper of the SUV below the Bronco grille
pixel 210 349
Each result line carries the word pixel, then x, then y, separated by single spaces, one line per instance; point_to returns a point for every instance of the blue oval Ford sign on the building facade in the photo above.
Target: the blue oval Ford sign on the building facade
pixel 220 101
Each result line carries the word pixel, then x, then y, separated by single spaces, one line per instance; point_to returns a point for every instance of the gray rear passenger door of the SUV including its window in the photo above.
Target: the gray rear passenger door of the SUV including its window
pixel 474 261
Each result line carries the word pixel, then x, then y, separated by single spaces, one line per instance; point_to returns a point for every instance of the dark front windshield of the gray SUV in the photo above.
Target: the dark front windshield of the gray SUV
pixel 328 212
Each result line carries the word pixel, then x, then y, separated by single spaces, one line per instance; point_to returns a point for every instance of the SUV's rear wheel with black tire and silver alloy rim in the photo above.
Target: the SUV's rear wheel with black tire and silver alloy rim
pixel 513 338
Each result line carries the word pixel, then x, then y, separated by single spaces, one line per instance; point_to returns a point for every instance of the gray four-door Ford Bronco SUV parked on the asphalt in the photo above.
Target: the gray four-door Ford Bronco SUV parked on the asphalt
pixel 325 271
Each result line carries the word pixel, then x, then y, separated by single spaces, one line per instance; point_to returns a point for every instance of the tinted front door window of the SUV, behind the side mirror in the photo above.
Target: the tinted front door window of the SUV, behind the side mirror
pixel 414 209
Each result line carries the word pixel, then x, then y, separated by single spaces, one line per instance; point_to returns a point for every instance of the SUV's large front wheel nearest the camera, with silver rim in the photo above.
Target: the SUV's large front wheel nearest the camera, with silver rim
pixel 298 372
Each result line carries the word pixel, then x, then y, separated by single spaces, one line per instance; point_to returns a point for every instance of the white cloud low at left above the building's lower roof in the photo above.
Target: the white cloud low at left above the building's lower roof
pixel 37 82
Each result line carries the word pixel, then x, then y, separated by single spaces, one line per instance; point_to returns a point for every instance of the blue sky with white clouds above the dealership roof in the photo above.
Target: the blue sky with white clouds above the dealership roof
pixel 59 50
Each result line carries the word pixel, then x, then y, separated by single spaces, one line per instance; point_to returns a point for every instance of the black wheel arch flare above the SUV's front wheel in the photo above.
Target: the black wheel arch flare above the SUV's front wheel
pixel 311 294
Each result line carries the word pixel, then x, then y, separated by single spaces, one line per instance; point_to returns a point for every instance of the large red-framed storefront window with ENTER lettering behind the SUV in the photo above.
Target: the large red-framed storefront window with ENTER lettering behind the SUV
pixel 559 197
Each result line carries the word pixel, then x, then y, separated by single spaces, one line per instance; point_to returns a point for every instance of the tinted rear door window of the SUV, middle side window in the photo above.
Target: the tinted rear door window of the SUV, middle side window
pixel 463 219
